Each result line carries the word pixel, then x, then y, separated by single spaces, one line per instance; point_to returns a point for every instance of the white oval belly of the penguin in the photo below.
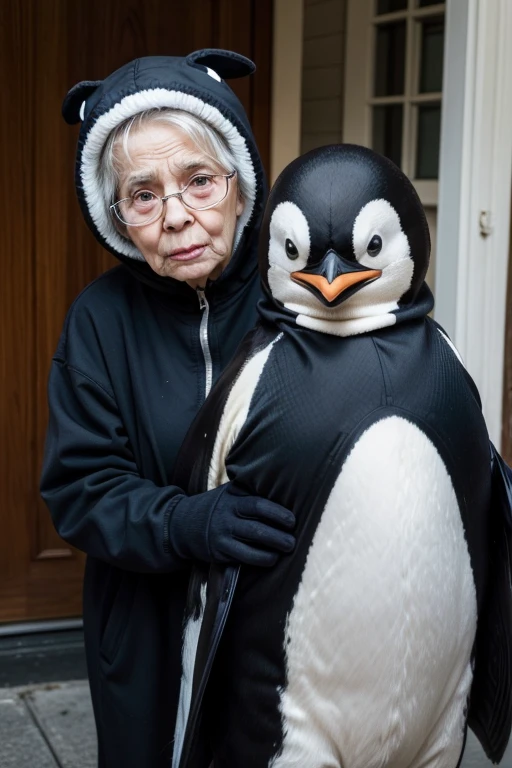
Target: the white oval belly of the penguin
pixel 379 637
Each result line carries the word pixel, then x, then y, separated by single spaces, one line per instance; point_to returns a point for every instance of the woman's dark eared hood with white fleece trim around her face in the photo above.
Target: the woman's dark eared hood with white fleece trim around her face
pixel 193 84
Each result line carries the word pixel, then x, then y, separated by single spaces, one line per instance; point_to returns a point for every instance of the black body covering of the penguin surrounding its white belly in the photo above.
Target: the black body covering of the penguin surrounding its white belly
pixel 300 427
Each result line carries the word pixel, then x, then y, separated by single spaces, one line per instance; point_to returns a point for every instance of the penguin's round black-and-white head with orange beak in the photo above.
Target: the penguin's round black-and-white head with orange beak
pixel 345 242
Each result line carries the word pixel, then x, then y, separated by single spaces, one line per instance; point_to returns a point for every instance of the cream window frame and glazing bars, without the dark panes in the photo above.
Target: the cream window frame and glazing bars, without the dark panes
pixel 359 71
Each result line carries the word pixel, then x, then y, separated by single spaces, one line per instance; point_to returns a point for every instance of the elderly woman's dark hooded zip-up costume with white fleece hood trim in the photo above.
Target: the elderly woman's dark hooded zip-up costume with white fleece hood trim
pixel 136 357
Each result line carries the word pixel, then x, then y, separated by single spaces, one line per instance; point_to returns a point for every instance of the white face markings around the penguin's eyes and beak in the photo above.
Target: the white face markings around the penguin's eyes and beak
pixel 372 306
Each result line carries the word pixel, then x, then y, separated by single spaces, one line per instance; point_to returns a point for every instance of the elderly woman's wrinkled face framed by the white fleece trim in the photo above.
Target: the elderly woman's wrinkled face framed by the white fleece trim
pixel 184 244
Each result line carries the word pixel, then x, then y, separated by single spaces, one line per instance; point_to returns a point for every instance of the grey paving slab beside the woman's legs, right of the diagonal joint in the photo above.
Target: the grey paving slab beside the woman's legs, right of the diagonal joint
pixel 64 714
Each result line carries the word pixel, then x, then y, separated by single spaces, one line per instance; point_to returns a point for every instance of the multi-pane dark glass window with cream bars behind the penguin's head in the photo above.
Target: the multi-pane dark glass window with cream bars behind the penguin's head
pixel 407 78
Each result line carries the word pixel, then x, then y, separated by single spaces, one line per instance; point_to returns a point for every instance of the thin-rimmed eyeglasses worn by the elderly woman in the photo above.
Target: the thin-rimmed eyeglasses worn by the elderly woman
pixel 202 191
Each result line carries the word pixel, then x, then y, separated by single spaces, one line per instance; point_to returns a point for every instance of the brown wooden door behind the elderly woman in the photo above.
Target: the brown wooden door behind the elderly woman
pixel 47 253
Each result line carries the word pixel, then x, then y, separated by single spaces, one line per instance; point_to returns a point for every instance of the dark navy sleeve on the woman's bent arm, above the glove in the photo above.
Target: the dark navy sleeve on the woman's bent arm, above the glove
pixel 97 499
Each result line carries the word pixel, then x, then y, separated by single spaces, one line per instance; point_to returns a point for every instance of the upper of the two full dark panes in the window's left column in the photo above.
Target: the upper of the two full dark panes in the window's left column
pixel 390 60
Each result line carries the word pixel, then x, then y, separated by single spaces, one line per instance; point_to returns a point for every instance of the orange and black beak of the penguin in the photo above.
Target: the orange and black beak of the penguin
pixel 335 278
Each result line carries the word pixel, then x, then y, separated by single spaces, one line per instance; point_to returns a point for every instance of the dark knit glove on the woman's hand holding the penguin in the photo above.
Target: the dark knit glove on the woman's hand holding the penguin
pixel 226 525
